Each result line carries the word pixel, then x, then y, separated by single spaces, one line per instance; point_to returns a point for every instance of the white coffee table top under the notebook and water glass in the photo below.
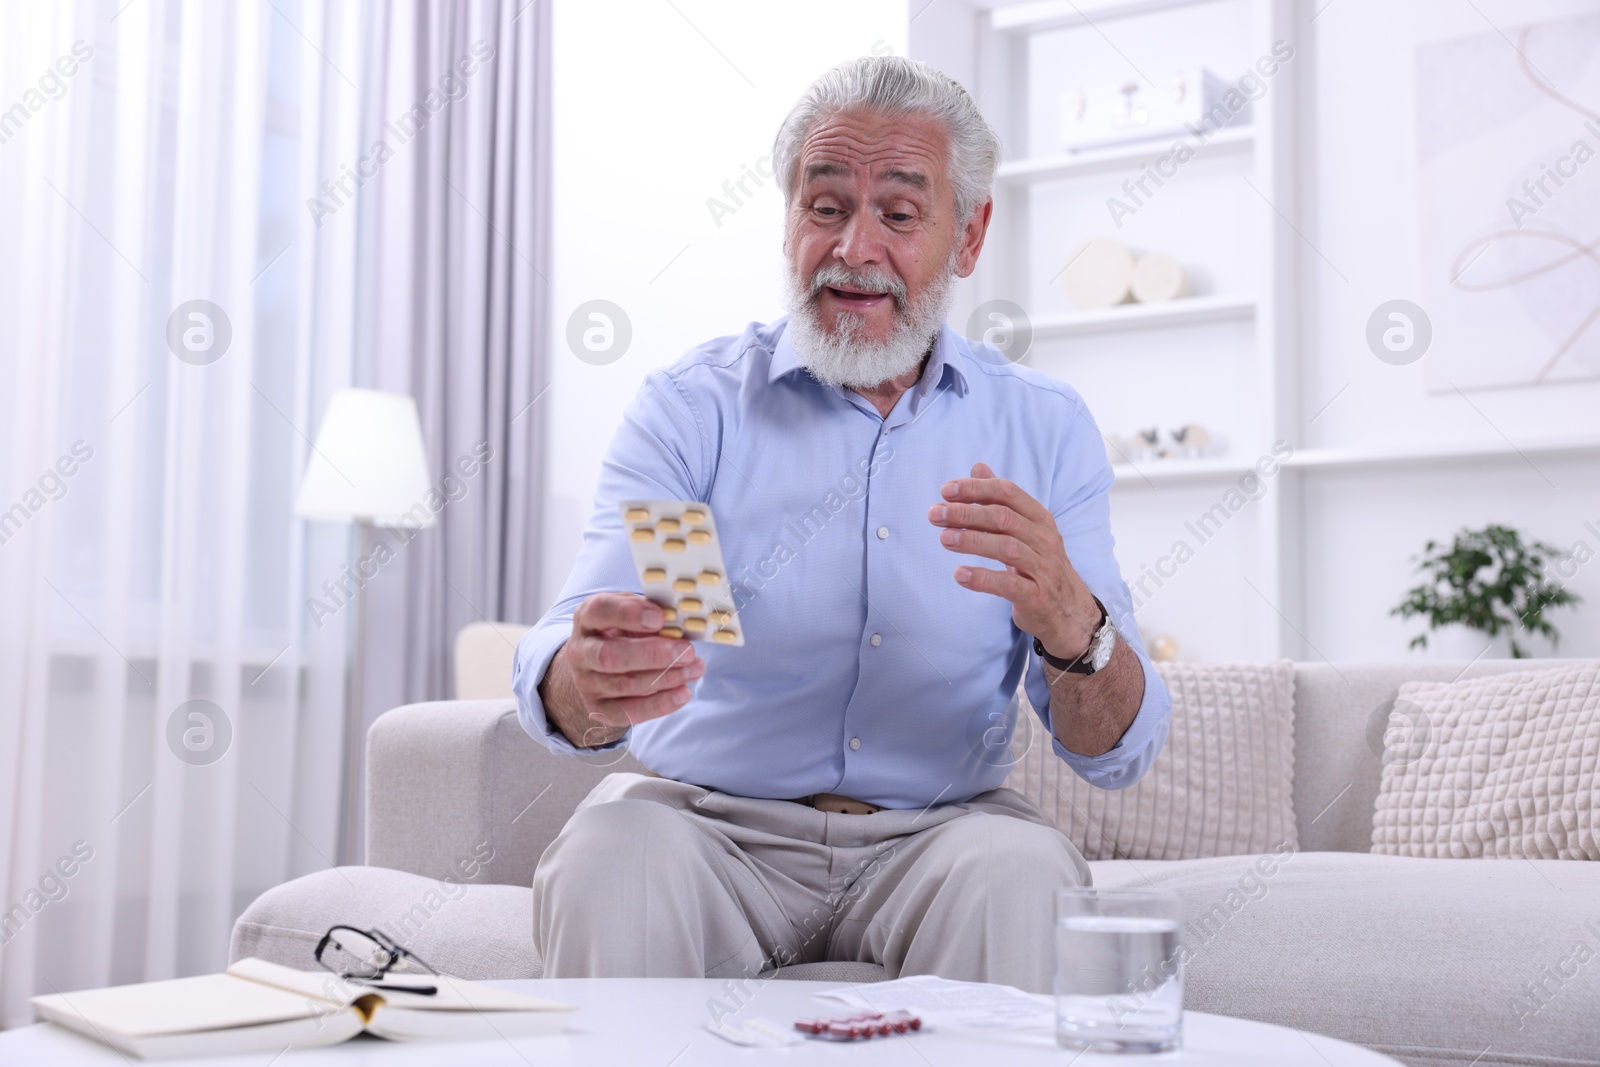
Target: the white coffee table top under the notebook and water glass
pixel 657 1023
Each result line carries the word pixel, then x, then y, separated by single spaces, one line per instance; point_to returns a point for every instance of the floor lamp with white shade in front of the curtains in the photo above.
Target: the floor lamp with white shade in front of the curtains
pixel 369 470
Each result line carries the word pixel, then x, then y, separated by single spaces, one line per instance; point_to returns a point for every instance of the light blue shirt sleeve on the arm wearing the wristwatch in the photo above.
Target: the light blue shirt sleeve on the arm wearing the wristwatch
pixel 1084 519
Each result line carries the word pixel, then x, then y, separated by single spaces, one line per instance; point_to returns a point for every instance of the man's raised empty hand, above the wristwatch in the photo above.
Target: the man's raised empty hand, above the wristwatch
pixel 993 518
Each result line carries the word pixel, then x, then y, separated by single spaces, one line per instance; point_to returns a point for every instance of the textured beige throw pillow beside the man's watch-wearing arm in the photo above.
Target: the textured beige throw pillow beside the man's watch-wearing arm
pixel 1222 786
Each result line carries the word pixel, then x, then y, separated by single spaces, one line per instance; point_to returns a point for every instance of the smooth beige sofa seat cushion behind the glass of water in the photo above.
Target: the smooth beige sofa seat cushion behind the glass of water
pixel 1434 962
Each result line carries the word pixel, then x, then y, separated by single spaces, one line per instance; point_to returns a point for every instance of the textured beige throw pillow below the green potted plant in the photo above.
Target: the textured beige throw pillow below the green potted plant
pixel 1505 767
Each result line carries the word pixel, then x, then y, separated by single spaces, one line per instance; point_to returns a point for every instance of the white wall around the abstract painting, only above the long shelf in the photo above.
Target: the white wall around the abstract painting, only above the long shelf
pixel 1361 167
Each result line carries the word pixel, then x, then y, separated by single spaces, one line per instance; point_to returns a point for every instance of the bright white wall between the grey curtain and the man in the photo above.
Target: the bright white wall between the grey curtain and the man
pixel 657 106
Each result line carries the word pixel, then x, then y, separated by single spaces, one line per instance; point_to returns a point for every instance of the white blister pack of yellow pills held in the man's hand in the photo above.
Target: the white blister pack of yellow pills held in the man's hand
pixel 679 562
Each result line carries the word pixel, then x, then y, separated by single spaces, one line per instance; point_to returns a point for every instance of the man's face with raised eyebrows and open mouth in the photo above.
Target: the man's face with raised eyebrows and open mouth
pixel 873 202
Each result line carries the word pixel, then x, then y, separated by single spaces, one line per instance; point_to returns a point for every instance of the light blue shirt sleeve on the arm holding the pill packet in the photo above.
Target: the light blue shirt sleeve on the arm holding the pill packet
pixel 657 455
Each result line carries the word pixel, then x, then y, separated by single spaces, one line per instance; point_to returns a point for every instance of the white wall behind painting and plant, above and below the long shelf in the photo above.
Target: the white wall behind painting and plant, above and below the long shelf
pixel 1362 194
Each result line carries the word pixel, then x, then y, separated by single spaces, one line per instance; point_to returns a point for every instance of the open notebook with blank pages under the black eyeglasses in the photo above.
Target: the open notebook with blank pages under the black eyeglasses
pixel 268 1007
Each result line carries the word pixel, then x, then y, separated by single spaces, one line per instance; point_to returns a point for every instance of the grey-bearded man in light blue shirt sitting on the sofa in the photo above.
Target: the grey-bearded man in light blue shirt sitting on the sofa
pixel 831 791
